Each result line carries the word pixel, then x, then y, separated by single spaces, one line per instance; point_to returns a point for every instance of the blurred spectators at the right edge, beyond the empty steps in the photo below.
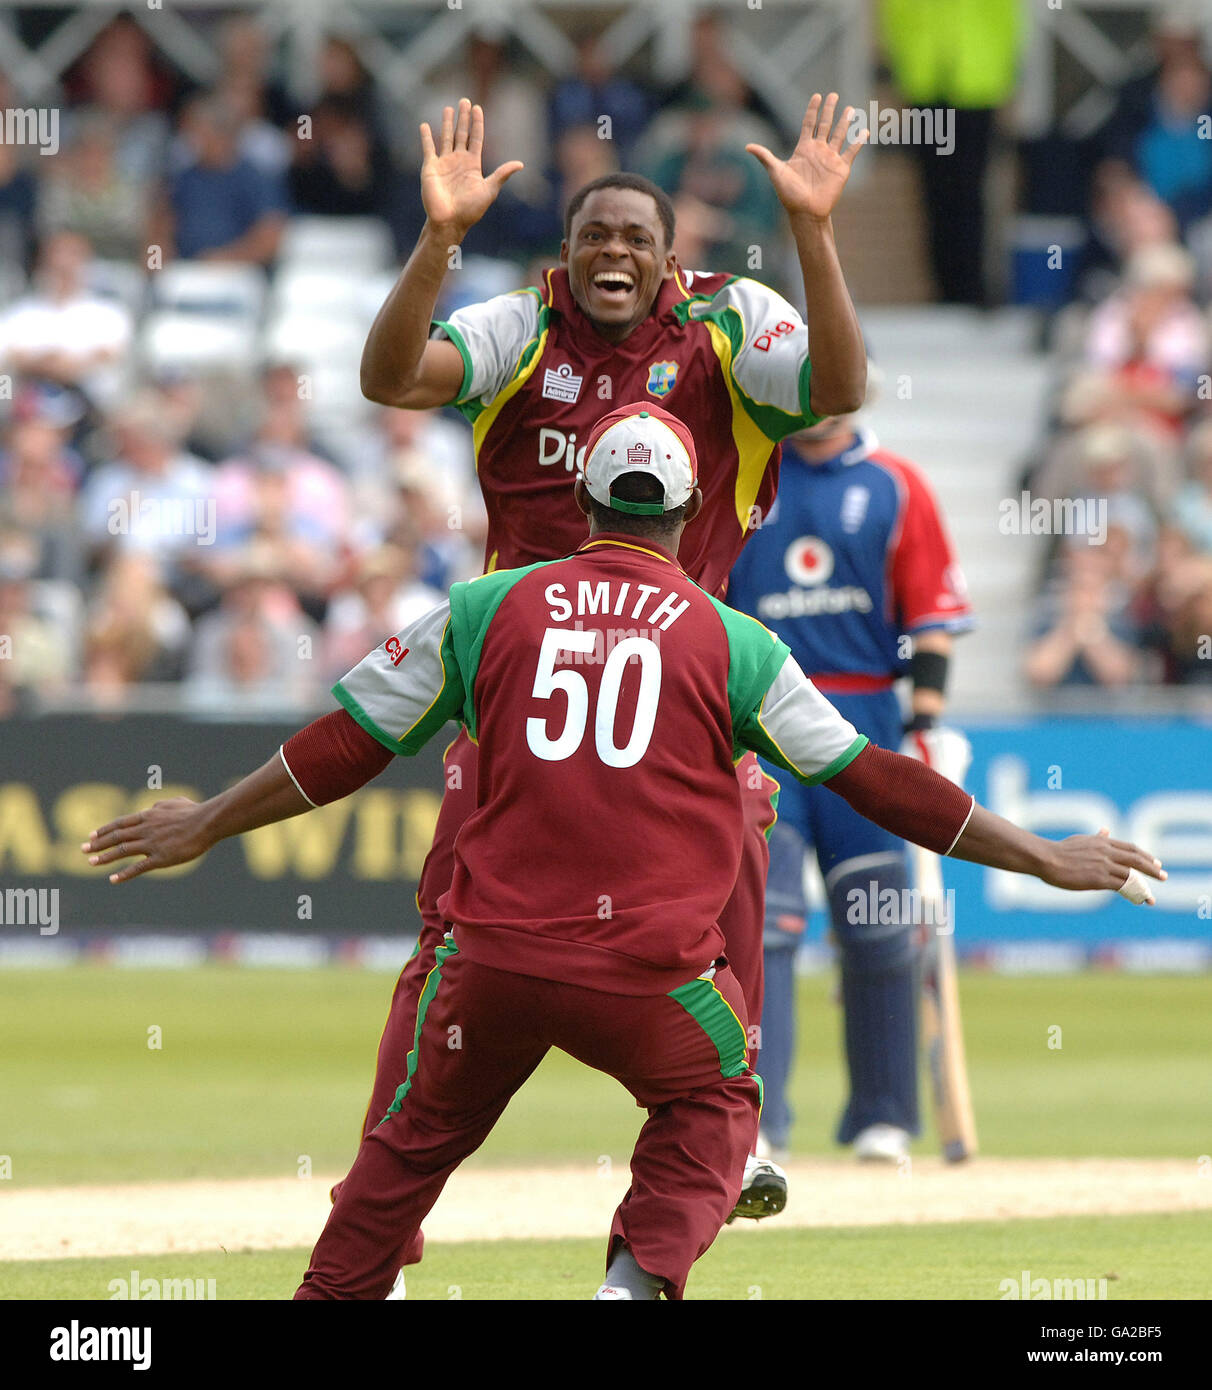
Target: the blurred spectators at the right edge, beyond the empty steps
pixel 1131 434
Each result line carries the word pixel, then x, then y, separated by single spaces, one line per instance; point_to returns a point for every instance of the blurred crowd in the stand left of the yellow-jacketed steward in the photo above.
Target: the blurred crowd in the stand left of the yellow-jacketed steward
pixel 161 526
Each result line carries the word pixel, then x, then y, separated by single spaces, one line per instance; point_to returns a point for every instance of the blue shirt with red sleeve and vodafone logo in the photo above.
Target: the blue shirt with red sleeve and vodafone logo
pixel 853 557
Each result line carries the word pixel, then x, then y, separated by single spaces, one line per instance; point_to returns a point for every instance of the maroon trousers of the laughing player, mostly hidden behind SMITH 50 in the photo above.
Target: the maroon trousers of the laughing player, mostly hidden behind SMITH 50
pixel 742 922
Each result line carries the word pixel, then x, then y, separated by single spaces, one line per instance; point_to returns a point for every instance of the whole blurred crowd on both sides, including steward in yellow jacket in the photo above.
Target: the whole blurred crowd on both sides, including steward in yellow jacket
pixel 237 537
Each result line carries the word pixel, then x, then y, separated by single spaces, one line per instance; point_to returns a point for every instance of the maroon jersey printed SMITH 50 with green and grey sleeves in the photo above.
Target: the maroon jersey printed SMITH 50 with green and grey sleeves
pixel 611 698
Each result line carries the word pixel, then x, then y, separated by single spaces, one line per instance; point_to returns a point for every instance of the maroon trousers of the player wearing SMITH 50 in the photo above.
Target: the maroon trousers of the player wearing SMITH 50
pixel 482 1033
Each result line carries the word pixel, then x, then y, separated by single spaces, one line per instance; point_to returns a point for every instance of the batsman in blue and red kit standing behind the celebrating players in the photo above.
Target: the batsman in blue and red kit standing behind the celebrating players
pixel 853 561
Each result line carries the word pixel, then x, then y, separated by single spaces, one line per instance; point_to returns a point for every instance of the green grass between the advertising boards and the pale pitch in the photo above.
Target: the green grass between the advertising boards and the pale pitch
pixel 256 1068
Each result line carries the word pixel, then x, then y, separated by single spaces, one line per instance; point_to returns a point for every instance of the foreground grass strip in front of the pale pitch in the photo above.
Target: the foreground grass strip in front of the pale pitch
pixel 1142 1257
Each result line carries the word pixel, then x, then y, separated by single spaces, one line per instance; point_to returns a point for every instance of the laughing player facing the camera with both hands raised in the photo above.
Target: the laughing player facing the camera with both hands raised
pixel 533 372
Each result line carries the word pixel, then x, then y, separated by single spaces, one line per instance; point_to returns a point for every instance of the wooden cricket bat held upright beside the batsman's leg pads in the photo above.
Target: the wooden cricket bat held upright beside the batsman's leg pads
pixel 942 1024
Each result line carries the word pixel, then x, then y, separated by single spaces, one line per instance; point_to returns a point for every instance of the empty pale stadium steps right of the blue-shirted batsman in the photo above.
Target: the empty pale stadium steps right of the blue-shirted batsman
pixel 963 395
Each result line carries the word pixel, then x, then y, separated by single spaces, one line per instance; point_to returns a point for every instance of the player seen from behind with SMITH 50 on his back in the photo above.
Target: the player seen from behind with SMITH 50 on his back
pixel 605 778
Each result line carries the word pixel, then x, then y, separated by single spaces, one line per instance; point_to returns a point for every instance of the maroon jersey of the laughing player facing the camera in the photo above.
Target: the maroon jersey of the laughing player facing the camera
pixel 723 354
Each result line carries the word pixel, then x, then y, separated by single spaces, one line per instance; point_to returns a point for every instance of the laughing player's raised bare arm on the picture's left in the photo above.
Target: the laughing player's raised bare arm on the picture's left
pixel 401 365
